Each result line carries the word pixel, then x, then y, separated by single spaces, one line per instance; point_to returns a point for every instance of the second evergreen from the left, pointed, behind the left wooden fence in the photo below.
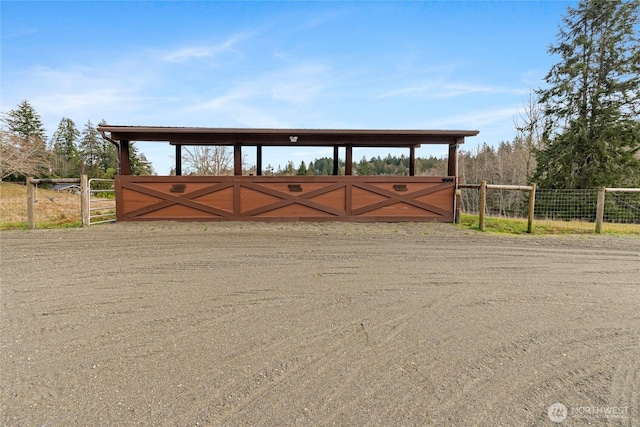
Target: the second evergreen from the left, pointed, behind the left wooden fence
pixel 66 160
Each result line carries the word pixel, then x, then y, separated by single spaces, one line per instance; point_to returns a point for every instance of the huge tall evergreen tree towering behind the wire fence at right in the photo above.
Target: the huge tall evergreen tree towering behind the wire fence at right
pixel 592 104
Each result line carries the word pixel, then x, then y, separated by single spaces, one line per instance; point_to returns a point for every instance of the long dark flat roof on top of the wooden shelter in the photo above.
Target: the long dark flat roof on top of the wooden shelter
pixel 286 137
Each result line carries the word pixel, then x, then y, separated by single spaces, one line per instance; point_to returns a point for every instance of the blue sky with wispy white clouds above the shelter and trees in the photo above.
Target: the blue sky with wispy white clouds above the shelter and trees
pixel 380 65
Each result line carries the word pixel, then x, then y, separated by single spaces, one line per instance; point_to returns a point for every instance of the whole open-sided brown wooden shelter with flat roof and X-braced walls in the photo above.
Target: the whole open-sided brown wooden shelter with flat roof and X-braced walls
pixel 285 198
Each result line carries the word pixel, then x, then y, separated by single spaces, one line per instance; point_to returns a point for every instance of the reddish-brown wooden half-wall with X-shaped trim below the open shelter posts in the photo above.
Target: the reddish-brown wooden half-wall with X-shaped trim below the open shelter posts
pixel 292 198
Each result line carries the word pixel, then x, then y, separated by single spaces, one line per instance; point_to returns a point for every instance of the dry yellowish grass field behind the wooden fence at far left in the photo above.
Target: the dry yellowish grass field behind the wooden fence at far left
pixel 52 208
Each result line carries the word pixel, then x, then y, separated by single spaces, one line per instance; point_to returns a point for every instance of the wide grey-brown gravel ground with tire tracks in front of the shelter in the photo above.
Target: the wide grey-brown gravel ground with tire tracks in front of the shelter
pixel 317 324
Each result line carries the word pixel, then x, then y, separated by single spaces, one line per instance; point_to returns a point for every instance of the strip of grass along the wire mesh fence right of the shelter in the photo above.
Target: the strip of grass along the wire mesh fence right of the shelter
pixel 545 227
